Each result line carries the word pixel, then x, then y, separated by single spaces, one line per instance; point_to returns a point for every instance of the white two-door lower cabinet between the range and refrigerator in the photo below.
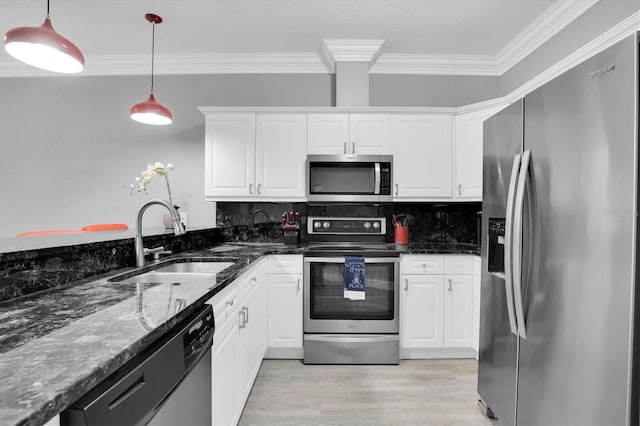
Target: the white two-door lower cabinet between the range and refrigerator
pixel 436 309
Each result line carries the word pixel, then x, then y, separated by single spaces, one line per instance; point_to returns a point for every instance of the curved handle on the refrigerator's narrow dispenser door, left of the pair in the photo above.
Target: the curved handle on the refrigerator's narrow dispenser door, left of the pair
pixel 508 235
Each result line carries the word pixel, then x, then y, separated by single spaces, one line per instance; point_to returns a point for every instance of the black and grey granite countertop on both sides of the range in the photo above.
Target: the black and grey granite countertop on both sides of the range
pixel 57 345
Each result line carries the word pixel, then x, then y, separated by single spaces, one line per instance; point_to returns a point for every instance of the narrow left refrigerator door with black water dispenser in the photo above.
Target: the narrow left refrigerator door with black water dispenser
pixel 498 346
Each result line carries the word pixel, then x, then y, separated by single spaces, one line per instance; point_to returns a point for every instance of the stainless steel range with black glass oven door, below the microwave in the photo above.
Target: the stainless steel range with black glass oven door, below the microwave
pixel 338 329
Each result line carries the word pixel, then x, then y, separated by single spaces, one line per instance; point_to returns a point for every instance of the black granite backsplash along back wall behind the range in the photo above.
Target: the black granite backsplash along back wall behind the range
pixel 432 222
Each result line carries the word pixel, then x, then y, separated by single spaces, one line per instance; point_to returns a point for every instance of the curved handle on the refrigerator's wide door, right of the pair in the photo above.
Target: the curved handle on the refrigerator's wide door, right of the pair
pixel 517 242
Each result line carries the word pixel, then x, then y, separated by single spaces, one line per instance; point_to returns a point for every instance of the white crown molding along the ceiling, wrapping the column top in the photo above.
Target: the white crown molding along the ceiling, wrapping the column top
pixel 554 19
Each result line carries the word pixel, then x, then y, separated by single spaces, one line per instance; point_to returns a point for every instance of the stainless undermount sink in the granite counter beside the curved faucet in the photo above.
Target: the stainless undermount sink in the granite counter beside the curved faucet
pixel 176 272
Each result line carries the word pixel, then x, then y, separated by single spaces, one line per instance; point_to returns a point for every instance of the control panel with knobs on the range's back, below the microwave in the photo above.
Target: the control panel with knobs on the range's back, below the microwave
pixel 346 225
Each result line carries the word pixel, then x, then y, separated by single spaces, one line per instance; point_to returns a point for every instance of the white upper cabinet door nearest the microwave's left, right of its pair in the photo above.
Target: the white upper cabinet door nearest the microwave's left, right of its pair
pixel 281 155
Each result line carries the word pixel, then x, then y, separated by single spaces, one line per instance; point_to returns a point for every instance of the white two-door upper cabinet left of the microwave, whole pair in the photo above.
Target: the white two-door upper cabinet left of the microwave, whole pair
pixel 255 155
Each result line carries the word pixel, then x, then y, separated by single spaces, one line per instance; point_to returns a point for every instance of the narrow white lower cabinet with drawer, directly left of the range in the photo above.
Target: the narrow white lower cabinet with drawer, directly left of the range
pixel 284 284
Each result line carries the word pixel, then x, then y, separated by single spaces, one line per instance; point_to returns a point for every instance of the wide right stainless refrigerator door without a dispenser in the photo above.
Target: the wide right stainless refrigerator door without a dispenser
pixel 574 365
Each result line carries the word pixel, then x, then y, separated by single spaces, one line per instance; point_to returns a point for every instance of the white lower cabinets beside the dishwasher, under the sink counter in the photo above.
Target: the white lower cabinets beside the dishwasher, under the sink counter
pixel 239 342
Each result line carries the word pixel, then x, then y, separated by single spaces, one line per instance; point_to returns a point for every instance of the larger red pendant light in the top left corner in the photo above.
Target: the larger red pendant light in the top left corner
pixel 43 47
